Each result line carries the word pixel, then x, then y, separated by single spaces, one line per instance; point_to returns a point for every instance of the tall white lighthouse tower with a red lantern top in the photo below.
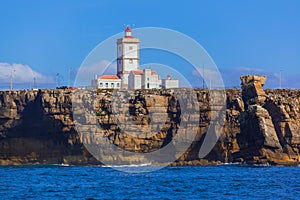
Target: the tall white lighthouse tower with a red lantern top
pixel 128 59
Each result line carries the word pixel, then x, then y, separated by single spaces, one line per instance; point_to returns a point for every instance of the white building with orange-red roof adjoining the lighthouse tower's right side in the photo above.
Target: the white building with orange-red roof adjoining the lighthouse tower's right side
pixel 144 79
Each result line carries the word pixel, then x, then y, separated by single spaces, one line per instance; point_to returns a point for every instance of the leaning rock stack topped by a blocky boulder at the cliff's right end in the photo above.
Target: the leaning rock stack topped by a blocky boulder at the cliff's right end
pixel 265 126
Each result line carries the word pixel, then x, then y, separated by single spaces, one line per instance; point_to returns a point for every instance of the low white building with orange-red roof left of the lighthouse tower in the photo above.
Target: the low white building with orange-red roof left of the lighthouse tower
pixel 107 82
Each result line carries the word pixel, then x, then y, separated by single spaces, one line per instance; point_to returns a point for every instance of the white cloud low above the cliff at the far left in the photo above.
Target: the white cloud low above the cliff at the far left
pixel 21 74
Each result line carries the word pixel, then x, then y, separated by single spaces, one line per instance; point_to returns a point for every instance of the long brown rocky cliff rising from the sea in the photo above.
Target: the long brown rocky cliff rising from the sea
pixel 51 126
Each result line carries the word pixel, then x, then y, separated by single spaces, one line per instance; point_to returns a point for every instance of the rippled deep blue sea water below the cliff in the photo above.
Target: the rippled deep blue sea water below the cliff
pixel 94 182
